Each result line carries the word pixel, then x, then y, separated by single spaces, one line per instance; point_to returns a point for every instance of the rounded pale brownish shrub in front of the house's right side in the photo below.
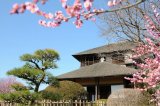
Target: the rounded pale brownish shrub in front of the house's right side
pixel 129 97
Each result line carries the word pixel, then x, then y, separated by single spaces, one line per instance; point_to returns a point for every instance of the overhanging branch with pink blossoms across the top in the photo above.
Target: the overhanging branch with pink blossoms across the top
pixel 80 10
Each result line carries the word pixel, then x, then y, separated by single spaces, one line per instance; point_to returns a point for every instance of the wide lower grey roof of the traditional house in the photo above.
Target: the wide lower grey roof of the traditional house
pixel 103 69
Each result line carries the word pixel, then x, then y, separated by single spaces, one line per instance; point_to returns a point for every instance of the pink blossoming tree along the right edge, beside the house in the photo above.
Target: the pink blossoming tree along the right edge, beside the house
pixel 147 78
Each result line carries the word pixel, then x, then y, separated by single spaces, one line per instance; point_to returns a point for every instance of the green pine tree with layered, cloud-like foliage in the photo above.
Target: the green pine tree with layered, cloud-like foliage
pixel 35 69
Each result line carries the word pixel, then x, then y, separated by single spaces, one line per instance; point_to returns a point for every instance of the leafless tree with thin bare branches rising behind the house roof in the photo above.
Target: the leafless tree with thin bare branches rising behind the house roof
pixel 127 24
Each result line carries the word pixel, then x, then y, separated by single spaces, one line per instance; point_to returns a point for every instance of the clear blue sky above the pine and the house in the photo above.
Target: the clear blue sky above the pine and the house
pixel 20 34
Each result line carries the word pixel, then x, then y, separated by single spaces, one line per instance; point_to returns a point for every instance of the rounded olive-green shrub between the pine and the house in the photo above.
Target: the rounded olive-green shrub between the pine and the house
pixel 67 90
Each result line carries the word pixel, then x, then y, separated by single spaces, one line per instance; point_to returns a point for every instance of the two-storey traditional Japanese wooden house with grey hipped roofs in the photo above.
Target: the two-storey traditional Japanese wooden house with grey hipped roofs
pixel 103 69
